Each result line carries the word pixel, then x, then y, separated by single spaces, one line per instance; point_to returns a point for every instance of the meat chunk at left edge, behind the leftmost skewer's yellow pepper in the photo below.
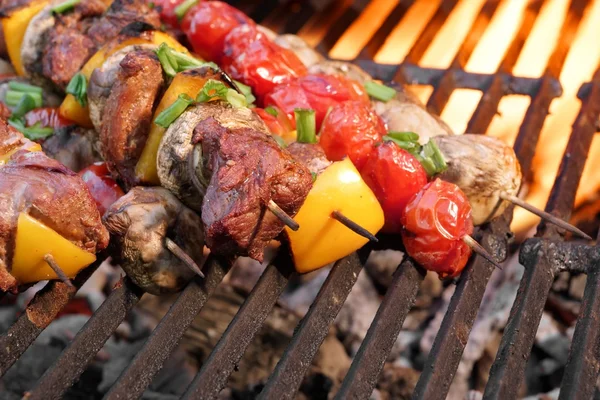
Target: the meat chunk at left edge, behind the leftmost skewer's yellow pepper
pixel 32 183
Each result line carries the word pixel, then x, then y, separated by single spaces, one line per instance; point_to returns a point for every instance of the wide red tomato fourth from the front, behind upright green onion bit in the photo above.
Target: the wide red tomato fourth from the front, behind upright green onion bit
pixel 318 92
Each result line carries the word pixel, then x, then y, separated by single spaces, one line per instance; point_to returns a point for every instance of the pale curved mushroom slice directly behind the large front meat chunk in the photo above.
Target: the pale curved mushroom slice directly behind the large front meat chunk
pixel 176 146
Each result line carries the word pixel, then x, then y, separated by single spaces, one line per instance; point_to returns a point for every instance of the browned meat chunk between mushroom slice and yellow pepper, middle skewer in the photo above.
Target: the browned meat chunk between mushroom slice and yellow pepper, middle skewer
pixel 128 113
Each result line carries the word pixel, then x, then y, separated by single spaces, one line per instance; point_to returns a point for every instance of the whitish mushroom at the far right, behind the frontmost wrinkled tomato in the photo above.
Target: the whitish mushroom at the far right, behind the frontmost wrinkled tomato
pixel 482 167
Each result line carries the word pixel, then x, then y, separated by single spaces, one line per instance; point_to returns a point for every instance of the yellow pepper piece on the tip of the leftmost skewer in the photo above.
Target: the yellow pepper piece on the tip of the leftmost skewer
pixel 34 241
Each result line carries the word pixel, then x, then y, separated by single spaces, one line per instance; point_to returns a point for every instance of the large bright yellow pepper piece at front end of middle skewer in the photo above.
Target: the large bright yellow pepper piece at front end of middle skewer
pixel 322 239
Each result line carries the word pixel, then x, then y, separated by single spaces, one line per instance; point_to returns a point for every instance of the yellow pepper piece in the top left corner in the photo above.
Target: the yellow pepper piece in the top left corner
pixel 14 27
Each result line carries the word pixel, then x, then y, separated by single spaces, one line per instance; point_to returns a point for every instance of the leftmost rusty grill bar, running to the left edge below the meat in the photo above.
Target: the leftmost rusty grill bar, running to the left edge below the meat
pixel 42 310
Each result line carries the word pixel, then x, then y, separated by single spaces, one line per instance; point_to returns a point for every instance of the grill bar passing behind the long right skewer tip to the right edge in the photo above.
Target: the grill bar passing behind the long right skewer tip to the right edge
pixel 509 367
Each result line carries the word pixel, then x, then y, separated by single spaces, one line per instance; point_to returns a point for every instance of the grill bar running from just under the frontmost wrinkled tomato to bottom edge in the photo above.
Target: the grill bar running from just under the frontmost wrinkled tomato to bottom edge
pixel 368 362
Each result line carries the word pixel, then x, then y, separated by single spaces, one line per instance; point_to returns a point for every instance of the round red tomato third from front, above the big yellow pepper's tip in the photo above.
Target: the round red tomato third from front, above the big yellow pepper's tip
pixel 351 129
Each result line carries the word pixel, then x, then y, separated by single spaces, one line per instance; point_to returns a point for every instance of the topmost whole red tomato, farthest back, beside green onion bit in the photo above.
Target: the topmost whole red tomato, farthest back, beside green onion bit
pixel 207 24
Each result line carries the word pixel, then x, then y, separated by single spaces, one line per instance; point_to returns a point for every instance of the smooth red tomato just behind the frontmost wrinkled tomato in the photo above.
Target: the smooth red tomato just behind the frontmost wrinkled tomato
pixel 395 176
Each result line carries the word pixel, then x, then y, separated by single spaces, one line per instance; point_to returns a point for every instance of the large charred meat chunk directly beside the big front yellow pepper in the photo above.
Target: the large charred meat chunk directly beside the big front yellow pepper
pixel 247 169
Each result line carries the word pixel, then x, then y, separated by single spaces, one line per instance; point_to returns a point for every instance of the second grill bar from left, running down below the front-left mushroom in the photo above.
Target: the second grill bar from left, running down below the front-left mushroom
pixel 90 339
